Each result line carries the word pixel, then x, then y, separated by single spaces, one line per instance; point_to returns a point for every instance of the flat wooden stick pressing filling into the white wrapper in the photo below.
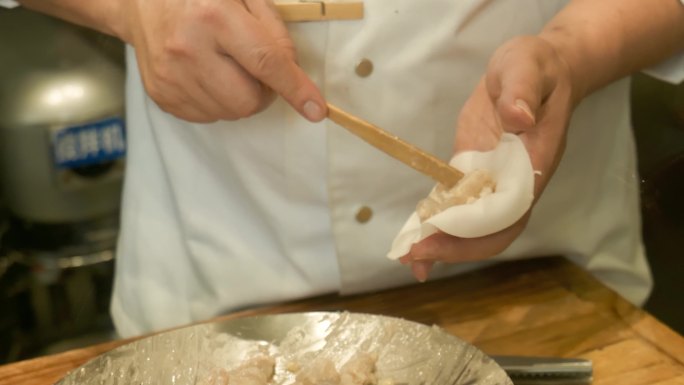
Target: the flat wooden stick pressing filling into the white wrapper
pixel 397 148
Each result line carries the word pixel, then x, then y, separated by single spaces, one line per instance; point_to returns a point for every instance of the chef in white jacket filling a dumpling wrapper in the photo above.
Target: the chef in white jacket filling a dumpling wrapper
pixel 239 193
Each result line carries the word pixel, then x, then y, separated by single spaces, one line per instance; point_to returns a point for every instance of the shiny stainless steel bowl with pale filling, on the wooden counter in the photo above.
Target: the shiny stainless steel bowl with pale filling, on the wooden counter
pixel 407 352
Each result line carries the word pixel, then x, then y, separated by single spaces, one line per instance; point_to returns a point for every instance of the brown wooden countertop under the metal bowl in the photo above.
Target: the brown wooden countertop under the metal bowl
pixel 535 307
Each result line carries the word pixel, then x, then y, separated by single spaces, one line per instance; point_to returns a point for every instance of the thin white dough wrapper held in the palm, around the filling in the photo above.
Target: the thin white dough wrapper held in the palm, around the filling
pixel 510 167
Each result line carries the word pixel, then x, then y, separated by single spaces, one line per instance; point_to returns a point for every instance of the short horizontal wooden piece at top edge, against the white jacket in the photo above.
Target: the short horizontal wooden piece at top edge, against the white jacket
pixel 320 10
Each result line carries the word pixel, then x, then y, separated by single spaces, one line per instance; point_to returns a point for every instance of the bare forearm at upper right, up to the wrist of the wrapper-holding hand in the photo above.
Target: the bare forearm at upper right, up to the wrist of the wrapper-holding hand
pixel 604 40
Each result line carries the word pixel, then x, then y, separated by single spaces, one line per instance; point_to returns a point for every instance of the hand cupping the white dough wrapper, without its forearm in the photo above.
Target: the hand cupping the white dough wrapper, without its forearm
pixel 527 91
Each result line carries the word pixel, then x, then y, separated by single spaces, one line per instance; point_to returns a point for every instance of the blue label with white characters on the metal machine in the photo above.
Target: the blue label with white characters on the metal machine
pixel 92 143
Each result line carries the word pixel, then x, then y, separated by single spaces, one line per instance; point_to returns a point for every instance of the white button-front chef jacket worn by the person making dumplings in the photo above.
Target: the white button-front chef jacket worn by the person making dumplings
pixel 223 216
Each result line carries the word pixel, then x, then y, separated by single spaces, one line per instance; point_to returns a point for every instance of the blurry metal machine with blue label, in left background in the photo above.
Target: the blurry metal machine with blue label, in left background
pixel 62 151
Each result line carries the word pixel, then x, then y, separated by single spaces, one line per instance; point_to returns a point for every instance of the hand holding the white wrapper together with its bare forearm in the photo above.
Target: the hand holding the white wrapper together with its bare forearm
pixel 533 84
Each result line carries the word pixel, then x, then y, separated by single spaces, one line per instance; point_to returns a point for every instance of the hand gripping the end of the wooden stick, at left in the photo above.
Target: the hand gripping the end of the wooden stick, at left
pixel 216 59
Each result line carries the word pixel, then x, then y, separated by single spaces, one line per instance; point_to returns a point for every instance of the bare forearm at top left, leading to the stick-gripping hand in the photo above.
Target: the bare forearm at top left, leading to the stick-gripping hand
pixel 100 15
